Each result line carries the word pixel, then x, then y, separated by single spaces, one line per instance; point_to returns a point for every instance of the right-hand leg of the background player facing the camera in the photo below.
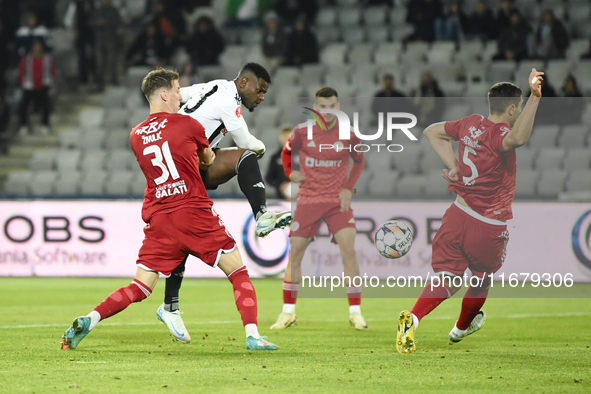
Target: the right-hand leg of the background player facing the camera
pixel 345 238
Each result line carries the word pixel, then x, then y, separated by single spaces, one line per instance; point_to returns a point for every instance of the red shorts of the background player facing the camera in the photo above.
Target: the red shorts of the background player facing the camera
pixel 306 219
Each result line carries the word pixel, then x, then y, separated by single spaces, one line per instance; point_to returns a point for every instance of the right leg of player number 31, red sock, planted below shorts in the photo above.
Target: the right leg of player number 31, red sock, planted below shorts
pixel 245 298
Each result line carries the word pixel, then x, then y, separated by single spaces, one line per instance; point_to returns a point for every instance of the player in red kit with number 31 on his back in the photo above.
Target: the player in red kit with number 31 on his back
pixel 171 149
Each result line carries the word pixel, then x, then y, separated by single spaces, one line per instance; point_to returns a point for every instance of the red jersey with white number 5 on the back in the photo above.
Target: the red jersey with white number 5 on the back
pixel 487 173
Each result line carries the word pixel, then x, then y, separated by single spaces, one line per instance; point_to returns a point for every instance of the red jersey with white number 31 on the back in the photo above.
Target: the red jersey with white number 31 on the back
pixel 166 145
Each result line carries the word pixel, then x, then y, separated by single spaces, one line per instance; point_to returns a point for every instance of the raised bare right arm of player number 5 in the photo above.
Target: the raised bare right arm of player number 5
pixel 524 124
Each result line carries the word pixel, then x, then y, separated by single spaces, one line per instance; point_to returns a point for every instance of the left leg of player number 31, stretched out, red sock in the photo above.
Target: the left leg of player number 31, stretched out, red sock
pixel 140 288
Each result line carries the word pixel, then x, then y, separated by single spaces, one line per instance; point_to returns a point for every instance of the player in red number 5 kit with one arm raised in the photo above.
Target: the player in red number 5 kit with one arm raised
pixel 473 232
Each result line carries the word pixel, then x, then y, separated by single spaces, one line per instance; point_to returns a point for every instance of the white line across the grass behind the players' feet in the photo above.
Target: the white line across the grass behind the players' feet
pixel 215 322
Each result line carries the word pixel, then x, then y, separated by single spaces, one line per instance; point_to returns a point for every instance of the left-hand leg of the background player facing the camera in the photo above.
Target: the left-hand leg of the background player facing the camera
pixel 291 283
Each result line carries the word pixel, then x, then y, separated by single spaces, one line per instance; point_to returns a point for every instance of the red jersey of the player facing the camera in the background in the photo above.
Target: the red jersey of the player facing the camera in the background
pixel 324 161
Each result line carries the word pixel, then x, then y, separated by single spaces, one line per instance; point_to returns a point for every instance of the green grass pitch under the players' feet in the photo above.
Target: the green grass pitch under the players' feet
pixel 527 345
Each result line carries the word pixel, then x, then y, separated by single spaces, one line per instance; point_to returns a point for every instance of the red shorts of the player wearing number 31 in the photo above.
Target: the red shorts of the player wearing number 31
pixel 170 237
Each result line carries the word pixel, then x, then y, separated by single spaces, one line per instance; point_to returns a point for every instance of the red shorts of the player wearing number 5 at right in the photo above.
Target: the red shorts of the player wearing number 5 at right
pixel 464 241
